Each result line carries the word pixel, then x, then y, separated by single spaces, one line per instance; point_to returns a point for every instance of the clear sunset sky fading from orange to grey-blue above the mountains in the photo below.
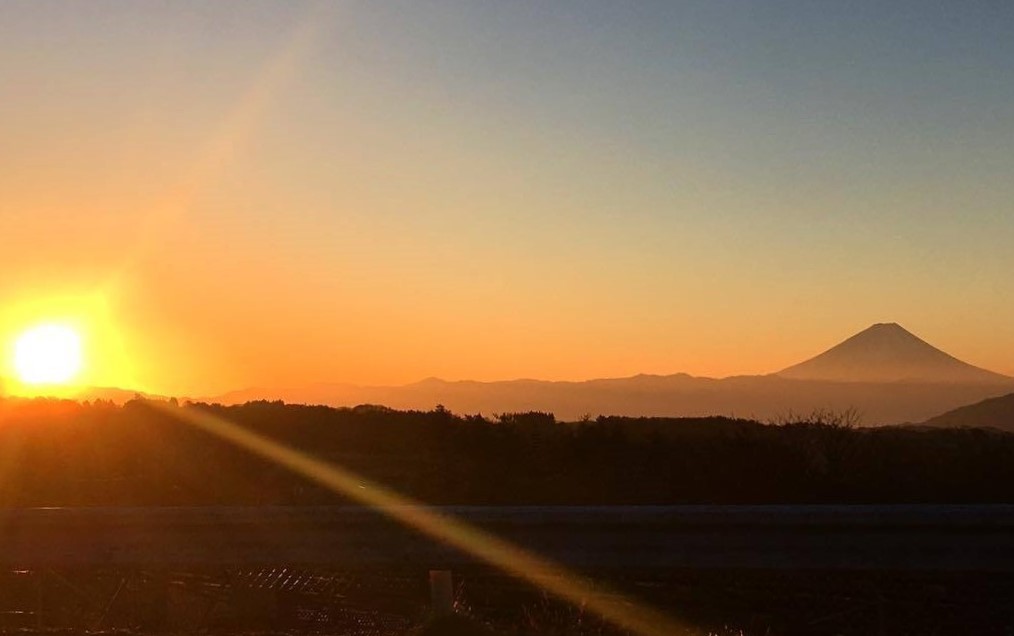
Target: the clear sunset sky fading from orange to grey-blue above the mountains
pixel 271 194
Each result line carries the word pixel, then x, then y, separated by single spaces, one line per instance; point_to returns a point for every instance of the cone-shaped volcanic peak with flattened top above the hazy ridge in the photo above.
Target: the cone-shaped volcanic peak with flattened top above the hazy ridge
pixel 887 352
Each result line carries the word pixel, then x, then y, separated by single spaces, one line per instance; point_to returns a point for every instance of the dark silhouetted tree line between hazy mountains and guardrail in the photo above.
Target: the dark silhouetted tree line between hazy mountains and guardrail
pixel 55 453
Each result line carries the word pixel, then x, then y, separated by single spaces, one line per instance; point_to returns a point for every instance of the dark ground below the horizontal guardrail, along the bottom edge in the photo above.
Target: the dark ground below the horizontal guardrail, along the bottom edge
pixel 294 601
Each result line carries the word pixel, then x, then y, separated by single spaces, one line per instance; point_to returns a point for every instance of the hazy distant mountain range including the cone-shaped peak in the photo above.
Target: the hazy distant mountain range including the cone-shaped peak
pixel 886 374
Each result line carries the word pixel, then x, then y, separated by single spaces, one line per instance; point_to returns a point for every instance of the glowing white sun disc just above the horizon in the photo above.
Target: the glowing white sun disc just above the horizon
pixel 48 355
